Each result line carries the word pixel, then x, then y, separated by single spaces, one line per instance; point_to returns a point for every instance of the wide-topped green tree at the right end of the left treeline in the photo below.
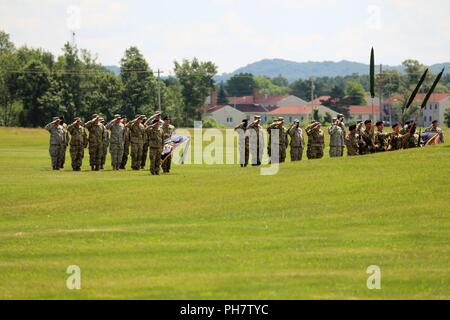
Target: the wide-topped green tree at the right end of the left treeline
pixel 196 79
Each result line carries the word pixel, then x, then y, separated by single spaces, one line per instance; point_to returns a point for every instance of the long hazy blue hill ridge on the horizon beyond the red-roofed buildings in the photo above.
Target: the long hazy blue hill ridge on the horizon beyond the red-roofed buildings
pixel 304 70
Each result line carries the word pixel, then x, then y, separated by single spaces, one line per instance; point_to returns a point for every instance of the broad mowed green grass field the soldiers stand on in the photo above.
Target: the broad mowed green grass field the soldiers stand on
pixel 222 232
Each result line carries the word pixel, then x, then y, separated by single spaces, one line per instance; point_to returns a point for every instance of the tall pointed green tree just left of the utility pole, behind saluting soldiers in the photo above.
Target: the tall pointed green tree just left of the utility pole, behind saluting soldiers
pixel 139 84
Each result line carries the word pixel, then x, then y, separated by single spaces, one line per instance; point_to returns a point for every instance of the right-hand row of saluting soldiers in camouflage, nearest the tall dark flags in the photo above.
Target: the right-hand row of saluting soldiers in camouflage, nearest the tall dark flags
pixel 361 139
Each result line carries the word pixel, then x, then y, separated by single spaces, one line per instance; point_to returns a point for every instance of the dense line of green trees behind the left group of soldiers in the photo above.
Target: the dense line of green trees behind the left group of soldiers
pixel 35 86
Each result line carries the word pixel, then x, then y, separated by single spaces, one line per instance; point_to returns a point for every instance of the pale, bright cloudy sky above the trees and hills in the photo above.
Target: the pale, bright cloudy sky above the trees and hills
pixel 234 33
